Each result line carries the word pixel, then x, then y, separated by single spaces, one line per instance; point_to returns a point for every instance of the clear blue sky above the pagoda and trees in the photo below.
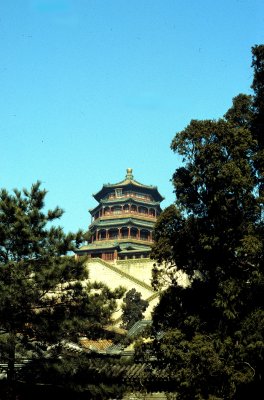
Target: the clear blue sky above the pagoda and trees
pixel 90 88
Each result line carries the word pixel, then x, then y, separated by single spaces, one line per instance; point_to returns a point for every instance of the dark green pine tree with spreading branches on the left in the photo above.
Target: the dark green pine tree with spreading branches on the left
pixel 43 298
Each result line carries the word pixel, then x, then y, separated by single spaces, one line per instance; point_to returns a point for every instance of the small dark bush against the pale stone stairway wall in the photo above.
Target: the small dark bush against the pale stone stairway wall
pixel 133 308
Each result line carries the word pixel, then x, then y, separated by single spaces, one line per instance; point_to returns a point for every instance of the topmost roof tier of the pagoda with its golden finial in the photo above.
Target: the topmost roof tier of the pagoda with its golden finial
pixel 130 183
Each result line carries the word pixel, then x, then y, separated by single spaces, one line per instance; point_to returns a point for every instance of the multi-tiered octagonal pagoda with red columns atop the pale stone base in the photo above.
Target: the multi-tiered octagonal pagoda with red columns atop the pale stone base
pixel 123 220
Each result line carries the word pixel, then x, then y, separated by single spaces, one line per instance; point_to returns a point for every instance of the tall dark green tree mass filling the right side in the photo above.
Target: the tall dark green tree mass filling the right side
pixel 213 342
